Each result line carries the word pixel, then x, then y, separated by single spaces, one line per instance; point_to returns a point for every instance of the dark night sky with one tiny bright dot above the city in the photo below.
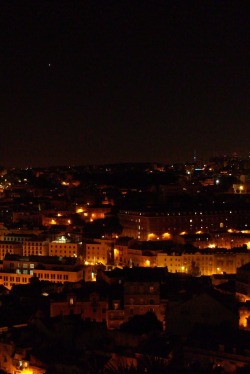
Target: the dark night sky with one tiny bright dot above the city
pixel 86 82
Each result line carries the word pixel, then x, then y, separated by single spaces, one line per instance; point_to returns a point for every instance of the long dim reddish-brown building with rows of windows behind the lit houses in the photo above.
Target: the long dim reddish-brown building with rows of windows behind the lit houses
pixel 151 225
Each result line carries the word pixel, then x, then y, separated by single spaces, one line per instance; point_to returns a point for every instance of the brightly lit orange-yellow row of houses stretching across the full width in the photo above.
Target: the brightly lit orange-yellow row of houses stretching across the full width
pixel 70 262
